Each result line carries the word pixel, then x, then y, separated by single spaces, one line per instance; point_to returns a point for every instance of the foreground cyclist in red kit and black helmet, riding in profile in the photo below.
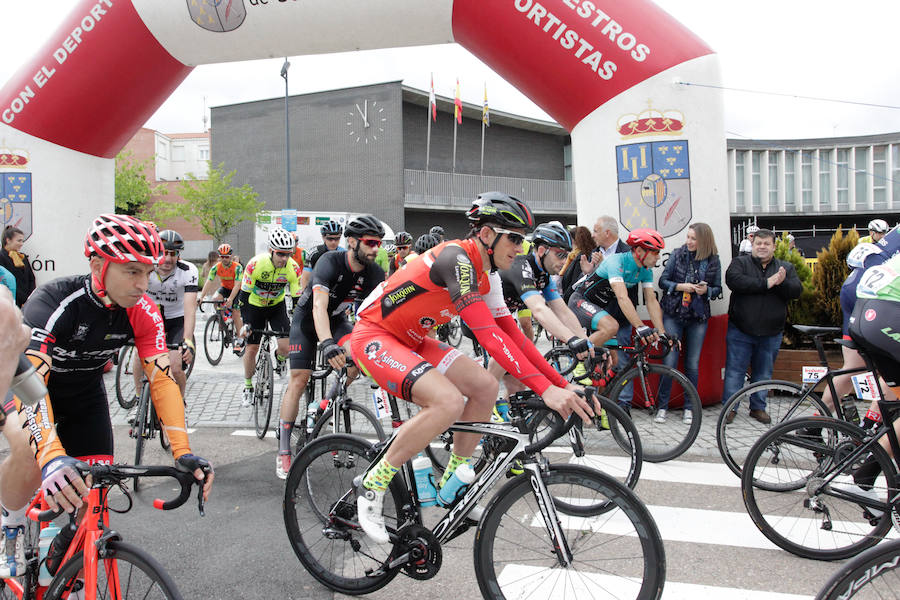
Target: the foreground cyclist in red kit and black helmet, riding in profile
pixel 390 342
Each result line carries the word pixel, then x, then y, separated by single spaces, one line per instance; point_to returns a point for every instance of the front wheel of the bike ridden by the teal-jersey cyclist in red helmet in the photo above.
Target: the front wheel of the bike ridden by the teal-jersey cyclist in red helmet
pixel 671 438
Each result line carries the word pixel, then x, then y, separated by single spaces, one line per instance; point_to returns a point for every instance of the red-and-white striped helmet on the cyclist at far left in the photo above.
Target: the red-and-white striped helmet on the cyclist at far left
pixel 123 239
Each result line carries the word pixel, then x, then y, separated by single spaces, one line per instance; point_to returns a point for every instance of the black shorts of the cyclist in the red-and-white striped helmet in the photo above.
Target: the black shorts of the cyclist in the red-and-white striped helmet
pixel 81 413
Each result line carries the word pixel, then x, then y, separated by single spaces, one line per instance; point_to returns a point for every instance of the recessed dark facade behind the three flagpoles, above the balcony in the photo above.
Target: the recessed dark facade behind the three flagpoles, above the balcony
pixel 508 152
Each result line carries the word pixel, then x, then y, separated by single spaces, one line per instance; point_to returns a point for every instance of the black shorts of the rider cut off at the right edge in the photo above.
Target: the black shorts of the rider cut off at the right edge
pixel 874 329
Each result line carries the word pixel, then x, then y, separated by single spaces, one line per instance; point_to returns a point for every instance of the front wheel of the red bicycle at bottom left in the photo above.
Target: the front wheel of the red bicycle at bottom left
pixel 124 571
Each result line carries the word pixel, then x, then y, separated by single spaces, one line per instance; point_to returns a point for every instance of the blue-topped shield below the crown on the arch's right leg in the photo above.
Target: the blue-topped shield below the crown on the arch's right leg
pixel 654 186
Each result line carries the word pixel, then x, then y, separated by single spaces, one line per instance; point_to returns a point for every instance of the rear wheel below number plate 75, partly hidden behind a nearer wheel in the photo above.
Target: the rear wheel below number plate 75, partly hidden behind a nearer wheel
pixel 784 400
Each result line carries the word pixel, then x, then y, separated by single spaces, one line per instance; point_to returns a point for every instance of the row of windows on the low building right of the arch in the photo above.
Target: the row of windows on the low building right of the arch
pixel 837 169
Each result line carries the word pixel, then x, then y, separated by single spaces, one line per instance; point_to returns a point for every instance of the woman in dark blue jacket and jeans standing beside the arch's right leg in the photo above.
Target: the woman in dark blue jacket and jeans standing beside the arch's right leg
pixel 693 275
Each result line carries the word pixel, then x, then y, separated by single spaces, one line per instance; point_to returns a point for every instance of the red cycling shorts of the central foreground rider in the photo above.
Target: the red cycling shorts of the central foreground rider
pixel 392 364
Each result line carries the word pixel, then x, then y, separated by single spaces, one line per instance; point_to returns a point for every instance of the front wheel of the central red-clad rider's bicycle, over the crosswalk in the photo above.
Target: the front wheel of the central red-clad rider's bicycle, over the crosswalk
pixel 618 550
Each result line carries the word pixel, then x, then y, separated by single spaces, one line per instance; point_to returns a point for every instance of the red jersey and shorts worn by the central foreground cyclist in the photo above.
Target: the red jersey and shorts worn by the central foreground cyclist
pixel 447 280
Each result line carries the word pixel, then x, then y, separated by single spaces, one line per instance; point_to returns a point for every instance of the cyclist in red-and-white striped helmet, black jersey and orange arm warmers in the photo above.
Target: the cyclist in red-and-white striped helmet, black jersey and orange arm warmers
pixel 78 323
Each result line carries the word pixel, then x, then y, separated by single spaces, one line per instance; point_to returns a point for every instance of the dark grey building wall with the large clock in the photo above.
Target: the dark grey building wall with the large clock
pixel 336 163
